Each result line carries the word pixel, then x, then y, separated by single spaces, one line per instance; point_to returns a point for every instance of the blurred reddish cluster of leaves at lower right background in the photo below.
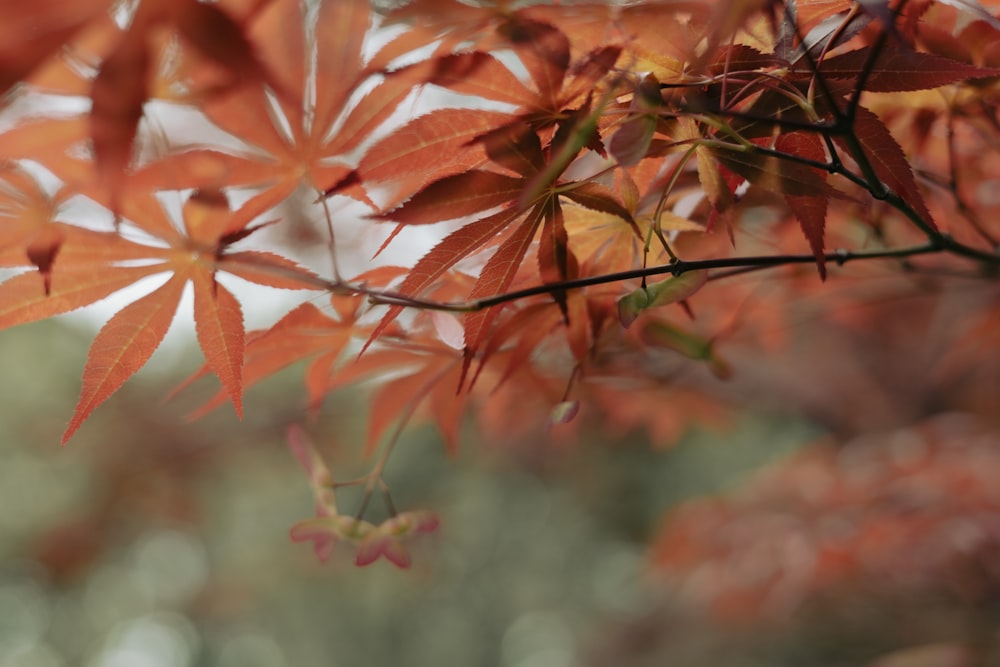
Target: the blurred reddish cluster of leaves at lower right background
pixel 913 510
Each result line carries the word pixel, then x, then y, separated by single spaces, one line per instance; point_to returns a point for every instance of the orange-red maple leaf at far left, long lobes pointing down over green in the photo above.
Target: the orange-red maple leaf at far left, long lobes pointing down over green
pixel 131 336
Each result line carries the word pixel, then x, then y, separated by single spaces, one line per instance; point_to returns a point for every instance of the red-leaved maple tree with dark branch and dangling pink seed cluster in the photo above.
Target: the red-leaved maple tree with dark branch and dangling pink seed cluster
pixel 625 197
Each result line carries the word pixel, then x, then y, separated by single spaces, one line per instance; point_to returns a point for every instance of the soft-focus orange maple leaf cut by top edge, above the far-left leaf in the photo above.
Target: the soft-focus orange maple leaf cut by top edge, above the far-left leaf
pixel 296 144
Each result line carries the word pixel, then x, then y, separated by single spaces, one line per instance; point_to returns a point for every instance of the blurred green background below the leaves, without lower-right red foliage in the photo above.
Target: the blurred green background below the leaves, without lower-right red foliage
pixel 148 541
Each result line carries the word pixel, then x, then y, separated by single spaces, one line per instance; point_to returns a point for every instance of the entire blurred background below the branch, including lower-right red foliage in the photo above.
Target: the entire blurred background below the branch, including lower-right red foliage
pixel 150 541
